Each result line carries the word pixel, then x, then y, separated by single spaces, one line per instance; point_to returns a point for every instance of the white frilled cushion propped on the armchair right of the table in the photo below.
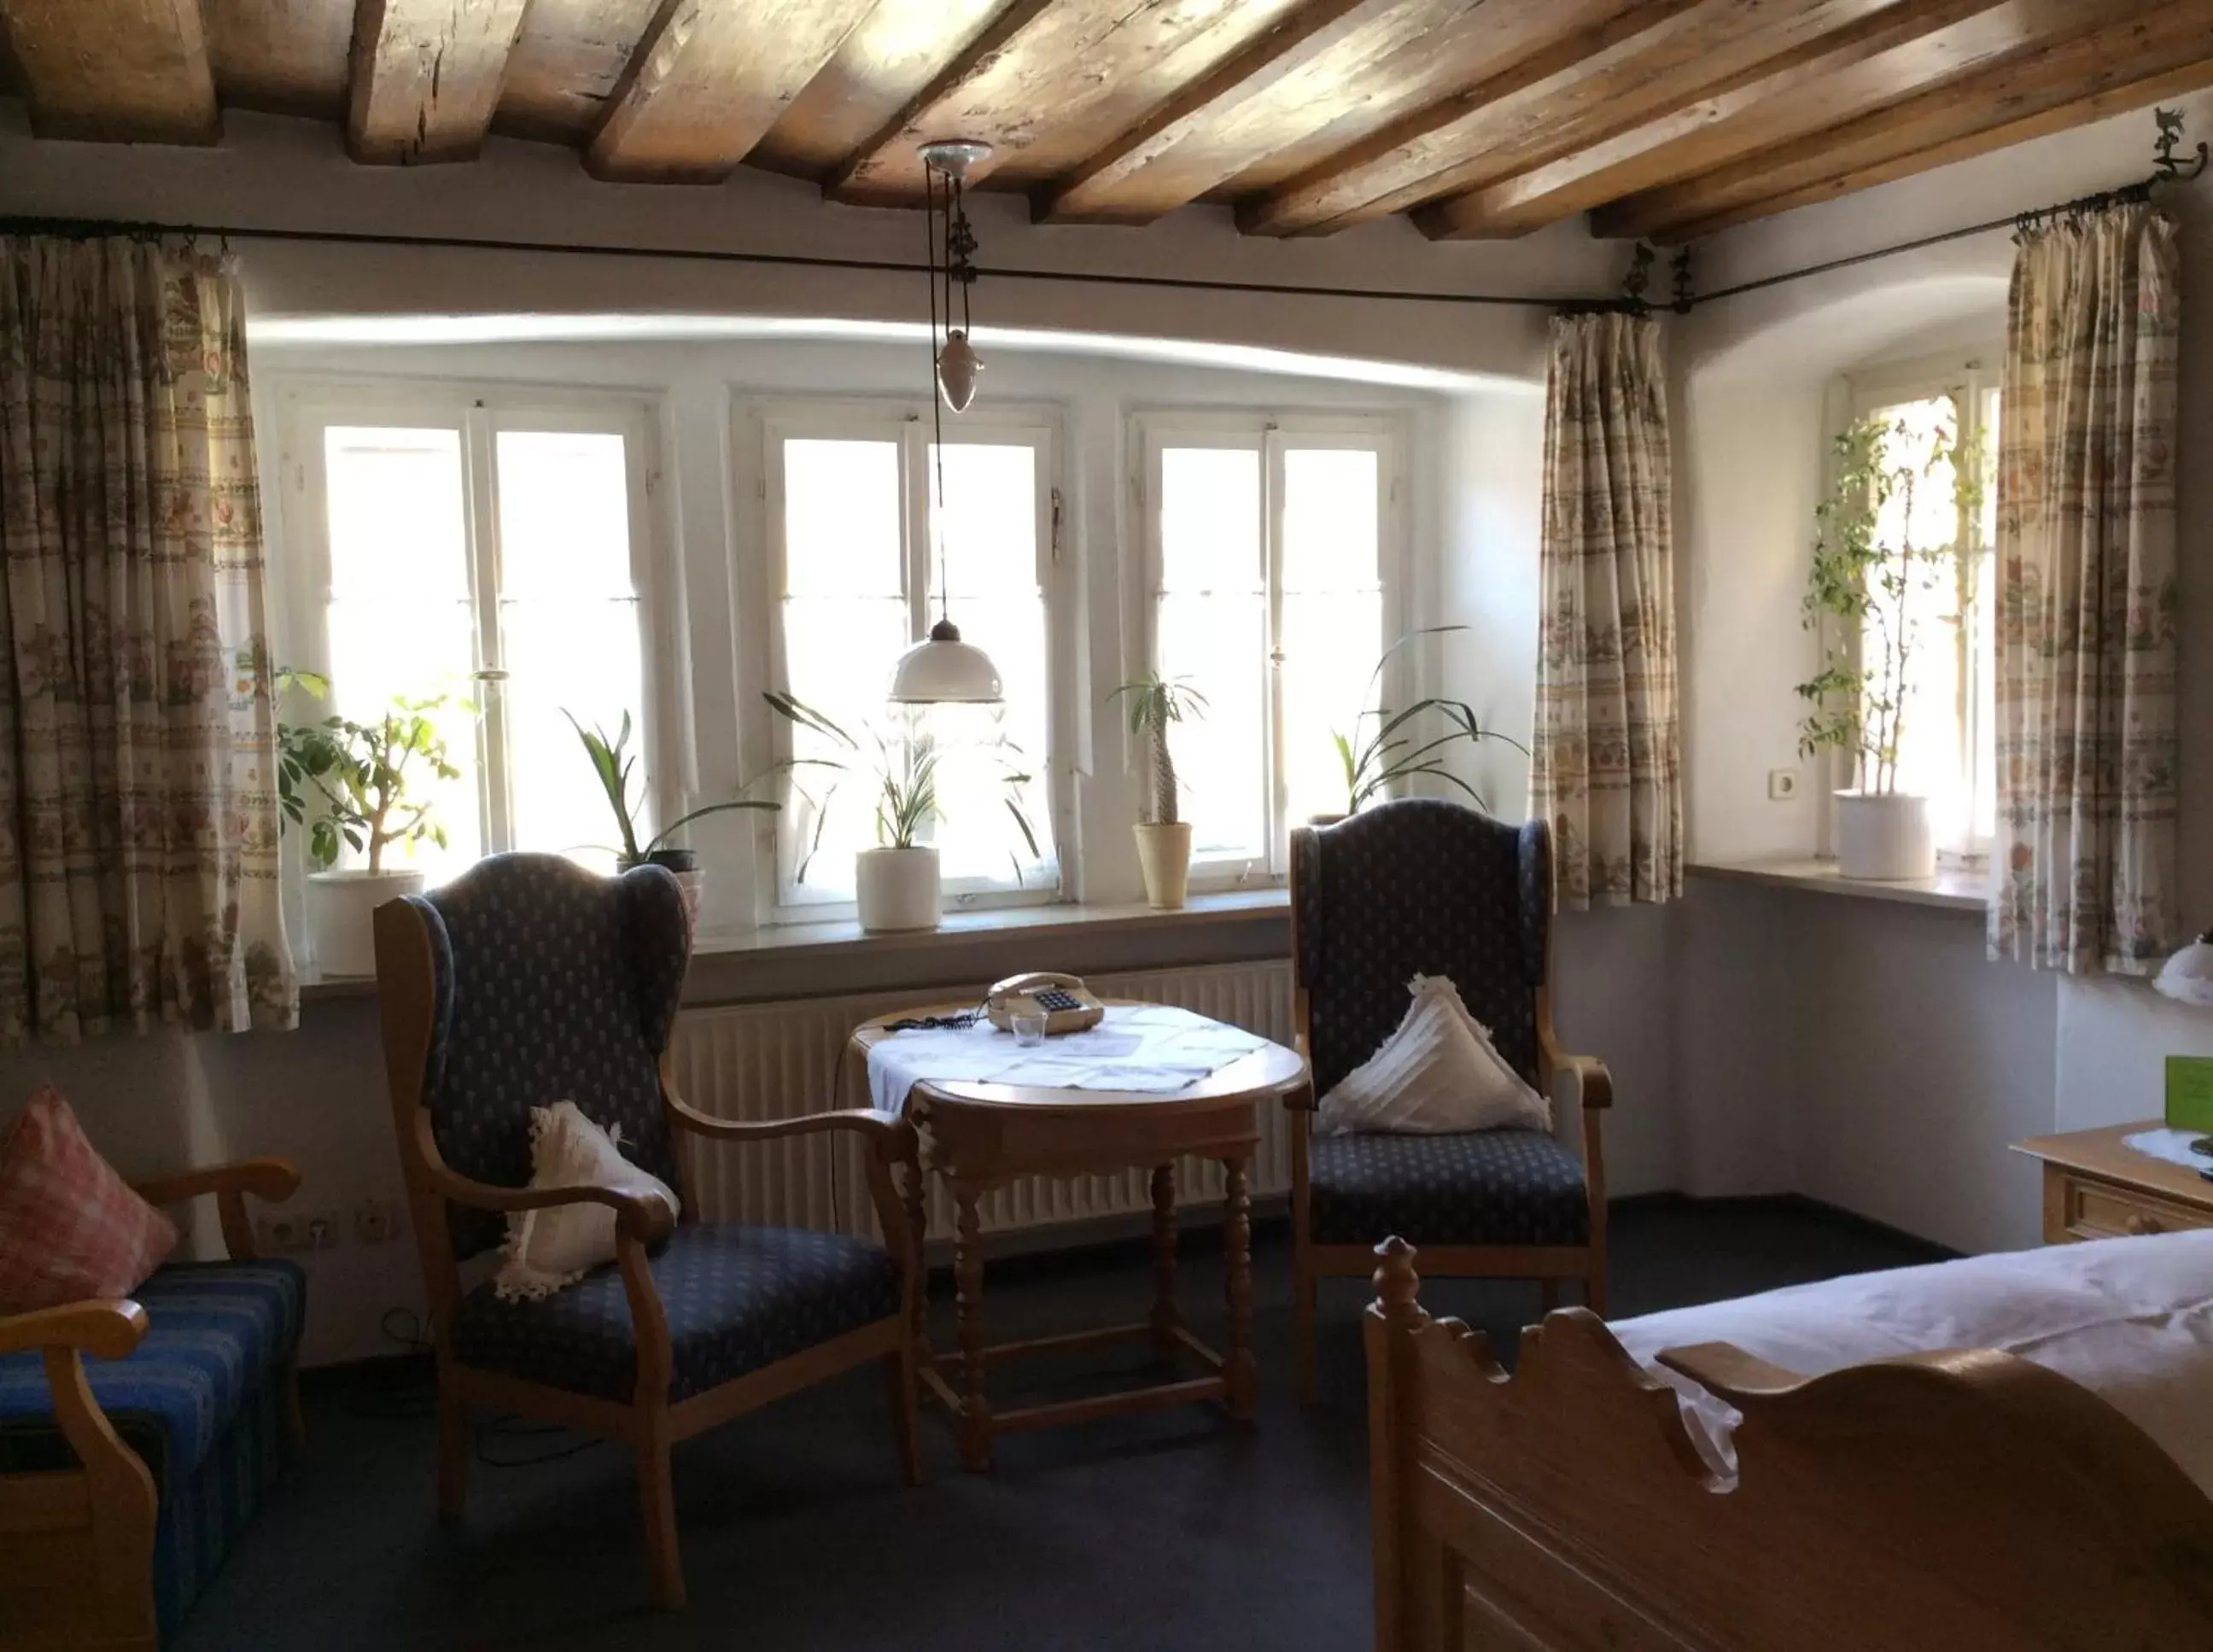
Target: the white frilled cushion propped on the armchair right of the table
pixel 1435 1076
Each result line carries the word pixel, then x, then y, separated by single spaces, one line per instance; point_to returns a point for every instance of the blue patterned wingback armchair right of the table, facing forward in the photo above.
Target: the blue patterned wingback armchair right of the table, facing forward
pixel 1433 888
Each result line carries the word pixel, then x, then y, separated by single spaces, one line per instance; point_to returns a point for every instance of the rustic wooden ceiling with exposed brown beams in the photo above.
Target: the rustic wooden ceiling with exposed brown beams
pixel 1477 118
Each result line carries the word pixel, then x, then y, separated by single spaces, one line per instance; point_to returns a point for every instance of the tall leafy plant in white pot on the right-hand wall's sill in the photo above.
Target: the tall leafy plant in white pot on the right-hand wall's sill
pixel 1867 569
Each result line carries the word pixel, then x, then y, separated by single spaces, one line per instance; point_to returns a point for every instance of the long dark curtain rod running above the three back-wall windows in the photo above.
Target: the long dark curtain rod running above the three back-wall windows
pixel 711 255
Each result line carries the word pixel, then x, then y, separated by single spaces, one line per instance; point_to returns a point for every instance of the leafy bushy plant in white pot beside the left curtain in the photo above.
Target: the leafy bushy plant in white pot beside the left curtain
pixel 364 777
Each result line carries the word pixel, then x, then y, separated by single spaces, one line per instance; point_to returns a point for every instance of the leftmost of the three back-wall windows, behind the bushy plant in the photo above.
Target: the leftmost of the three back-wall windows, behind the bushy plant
pixel 488 552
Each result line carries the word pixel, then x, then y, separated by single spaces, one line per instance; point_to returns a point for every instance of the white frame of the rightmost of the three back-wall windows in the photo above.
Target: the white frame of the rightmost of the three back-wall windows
pixel 1271 435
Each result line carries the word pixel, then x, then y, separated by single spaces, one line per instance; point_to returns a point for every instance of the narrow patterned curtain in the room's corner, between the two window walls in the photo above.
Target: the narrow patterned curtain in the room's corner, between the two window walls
pixel 1608 757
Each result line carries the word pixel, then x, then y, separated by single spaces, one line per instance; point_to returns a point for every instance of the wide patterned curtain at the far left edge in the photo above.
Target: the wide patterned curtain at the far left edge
pixel 138 819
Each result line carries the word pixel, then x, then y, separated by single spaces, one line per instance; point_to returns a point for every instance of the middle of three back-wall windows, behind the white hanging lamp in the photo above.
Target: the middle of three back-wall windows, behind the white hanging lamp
pixel 855 532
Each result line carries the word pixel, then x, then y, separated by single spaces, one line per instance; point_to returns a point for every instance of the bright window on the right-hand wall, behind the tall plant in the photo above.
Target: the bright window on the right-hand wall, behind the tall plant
pixel 1944 428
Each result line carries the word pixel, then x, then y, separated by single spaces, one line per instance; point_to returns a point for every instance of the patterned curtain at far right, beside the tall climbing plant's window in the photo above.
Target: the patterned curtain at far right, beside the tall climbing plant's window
pixel 2084 872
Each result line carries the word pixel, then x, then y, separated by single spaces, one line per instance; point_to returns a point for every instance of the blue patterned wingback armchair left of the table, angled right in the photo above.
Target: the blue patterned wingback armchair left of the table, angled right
pixel 528 983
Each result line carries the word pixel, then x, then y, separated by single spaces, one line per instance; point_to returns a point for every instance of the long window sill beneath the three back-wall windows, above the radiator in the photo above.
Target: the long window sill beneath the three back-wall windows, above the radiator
pixel 957 937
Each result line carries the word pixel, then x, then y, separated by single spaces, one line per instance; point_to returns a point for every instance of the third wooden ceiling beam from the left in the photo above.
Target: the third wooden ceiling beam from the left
pixel 709 81
